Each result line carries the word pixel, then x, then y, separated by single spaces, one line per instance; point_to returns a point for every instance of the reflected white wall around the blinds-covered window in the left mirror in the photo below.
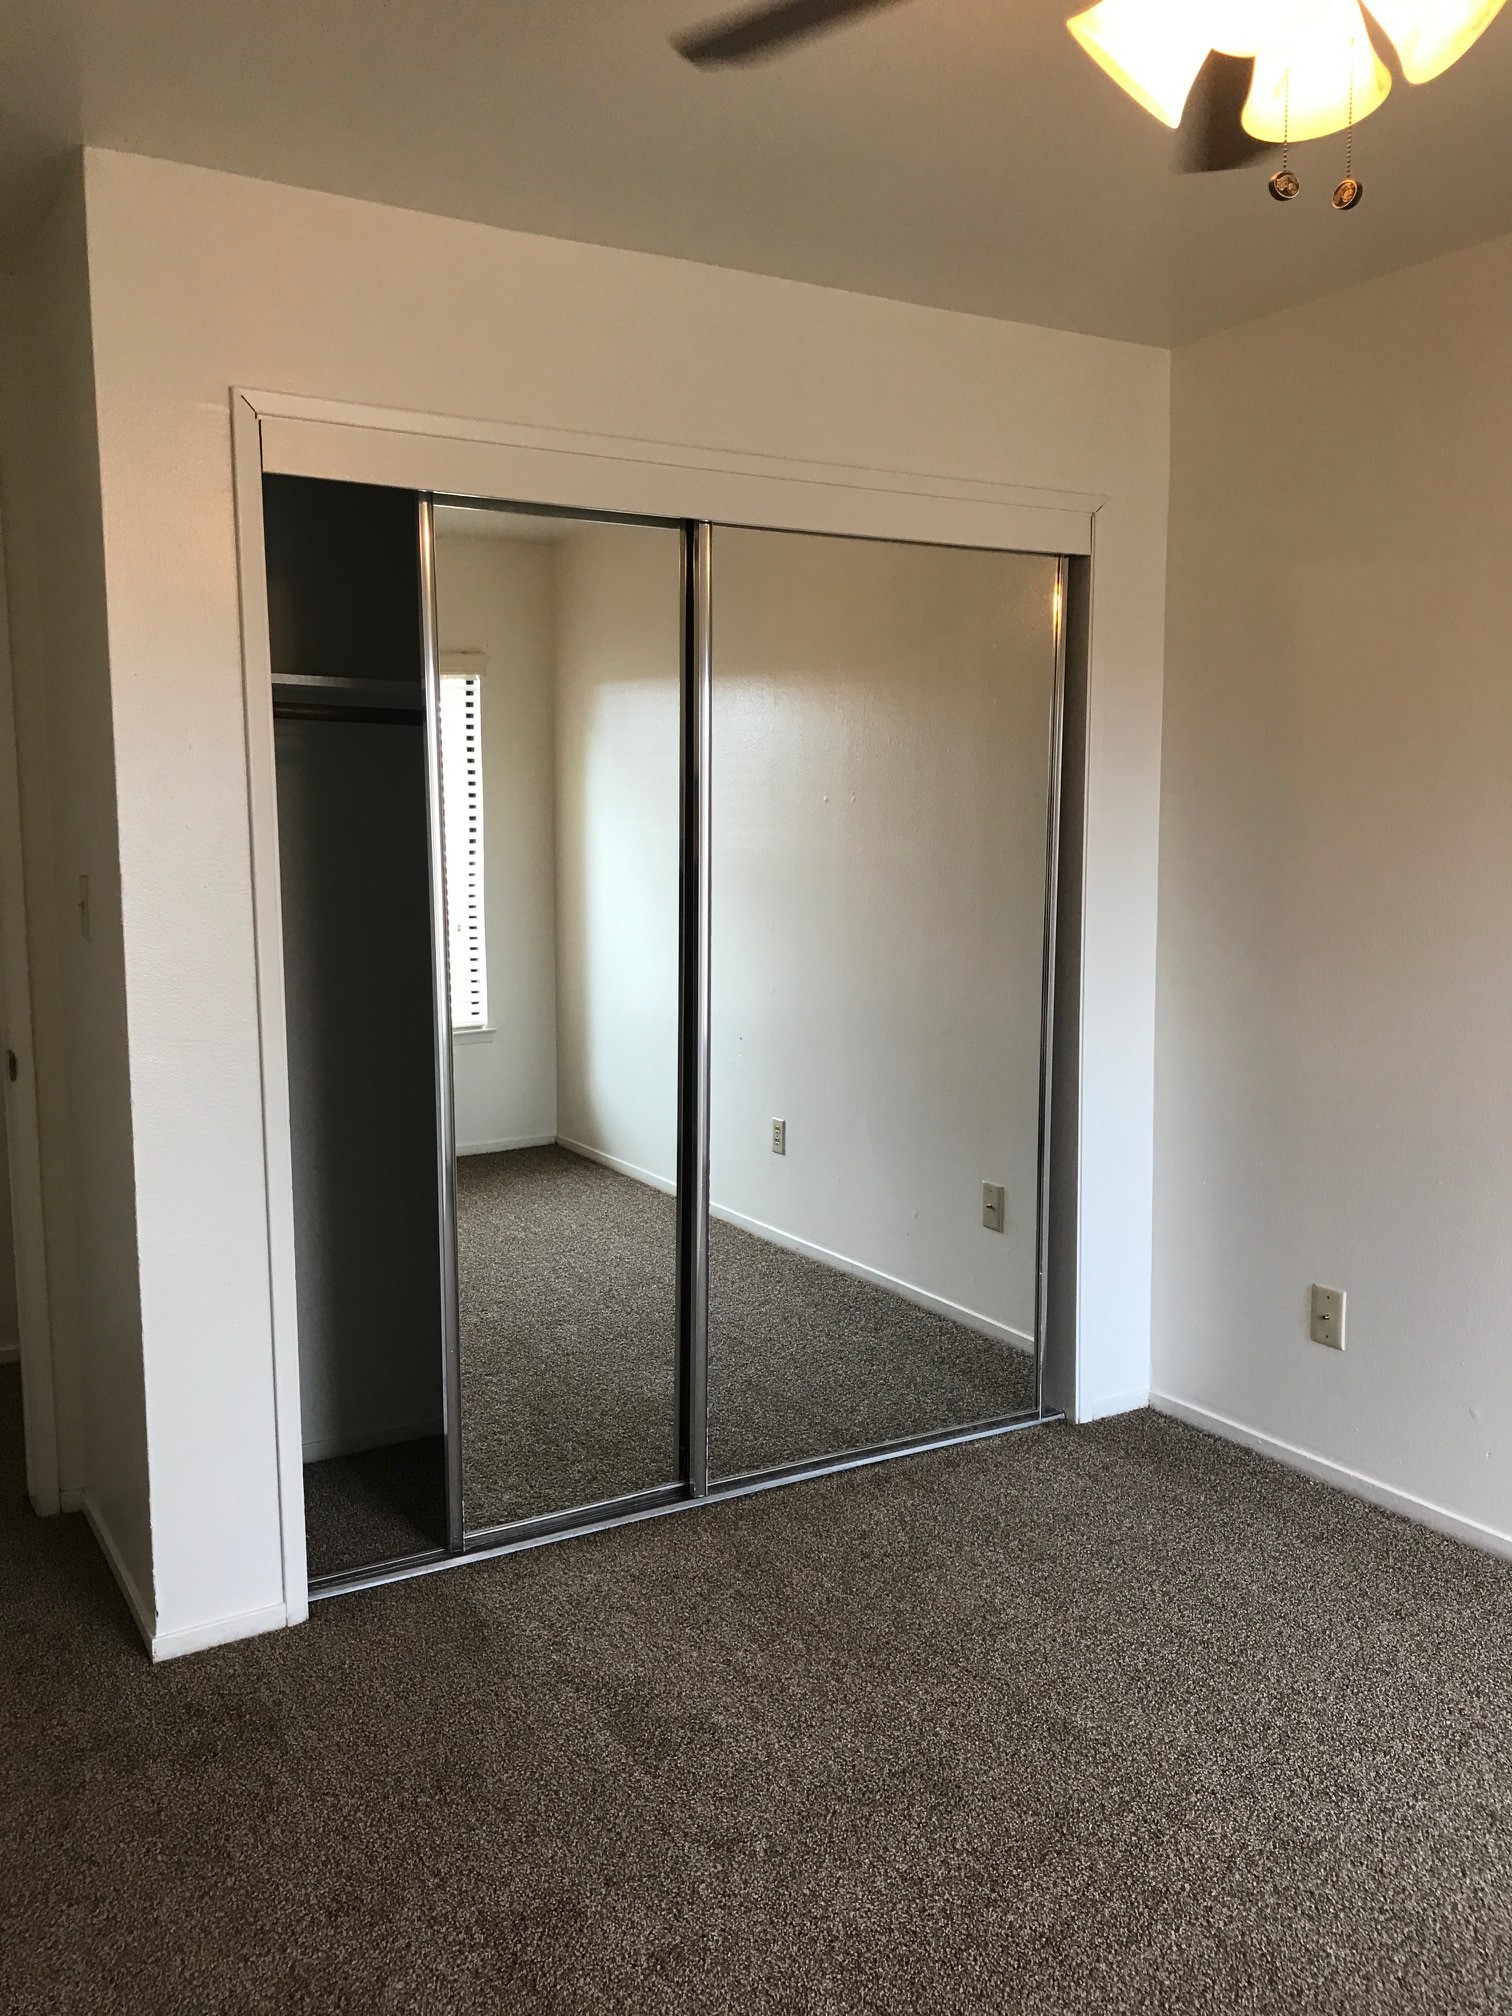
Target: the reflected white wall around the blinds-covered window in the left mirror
pixel 495 598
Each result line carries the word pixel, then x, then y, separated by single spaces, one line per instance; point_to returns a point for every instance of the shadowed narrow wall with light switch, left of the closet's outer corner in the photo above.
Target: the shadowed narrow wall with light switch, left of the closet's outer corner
pixel 70 826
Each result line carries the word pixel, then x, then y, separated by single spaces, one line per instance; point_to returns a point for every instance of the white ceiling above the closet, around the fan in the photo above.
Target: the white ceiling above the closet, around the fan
pixel 951 152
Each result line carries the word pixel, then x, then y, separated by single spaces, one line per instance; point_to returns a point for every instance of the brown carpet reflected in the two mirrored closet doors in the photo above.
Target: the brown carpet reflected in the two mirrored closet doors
pixel 570 1384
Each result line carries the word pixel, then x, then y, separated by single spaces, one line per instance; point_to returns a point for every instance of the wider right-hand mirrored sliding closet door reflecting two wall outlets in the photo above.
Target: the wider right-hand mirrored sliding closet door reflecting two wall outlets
pixel 882 791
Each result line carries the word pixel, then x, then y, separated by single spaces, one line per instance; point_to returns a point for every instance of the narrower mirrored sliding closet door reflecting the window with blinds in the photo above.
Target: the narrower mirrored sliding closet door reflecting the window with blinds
pixel 559 779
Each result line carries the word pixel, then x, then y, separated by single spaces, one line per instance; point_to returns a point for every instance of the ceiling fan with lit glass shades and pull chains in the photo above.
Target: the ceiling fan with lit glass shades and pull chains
pixel 1235 78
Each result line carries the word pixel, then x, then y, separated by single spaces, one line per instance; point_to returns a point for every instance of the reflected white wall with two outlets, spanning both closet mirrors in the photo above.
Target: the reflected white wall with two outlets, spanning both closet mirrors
pixel 880 815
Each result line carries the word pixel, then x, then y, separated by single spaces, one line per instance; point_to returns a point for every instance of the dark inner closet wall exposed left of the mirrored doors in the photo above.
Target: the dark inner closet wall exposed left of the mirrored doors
pixel 344 600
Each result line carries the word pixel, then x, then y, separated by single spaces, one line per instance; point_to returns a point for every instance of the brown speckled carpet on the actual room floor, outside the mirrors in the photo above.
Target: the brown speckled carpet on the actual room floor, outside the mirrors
pixel 1108 1719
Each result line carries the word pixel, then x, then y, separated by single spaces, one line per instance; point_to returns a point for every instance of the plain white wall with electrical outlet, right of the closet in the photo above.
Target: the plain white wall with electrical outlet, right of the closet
pixel 1336 942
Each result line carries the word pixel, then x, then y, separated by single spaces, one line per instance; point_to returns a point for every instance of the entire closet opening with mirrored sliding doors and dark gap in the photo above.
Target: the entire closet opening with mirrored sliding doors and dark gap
pixel 668 957
